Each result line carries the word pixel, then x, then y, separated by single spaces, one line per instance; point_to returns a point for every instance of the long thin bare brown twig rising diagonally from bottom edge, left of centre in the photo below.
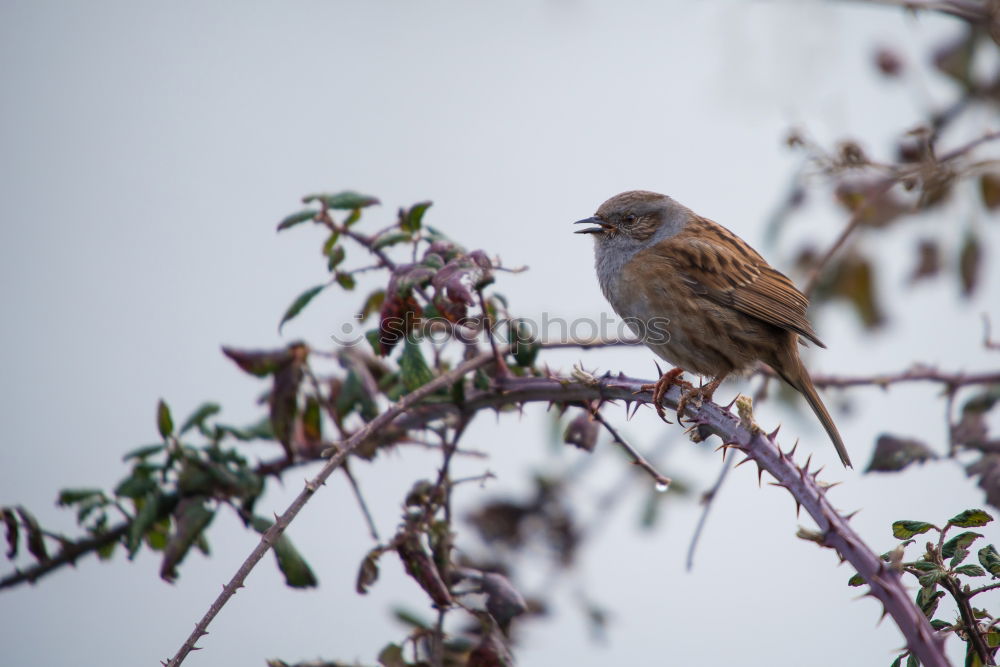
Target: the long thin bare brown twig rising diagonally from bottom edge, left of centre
pixel 311 486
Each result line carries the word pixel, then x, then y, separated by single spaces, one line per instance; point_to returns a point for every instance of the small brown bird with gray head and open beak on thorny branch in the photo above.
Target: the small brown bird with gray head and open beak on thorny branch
pixel 700 297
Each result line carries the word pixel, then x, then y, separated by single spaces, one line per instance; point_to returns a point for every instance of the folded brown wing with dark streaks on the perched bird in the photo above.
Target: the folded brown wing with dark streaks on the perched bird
pixel 721 267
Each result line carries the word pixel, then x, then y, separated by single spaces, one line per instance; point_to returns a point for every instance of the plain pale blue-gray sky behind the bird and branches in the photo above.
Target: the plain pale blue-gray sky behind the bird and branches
pixel 147 150
